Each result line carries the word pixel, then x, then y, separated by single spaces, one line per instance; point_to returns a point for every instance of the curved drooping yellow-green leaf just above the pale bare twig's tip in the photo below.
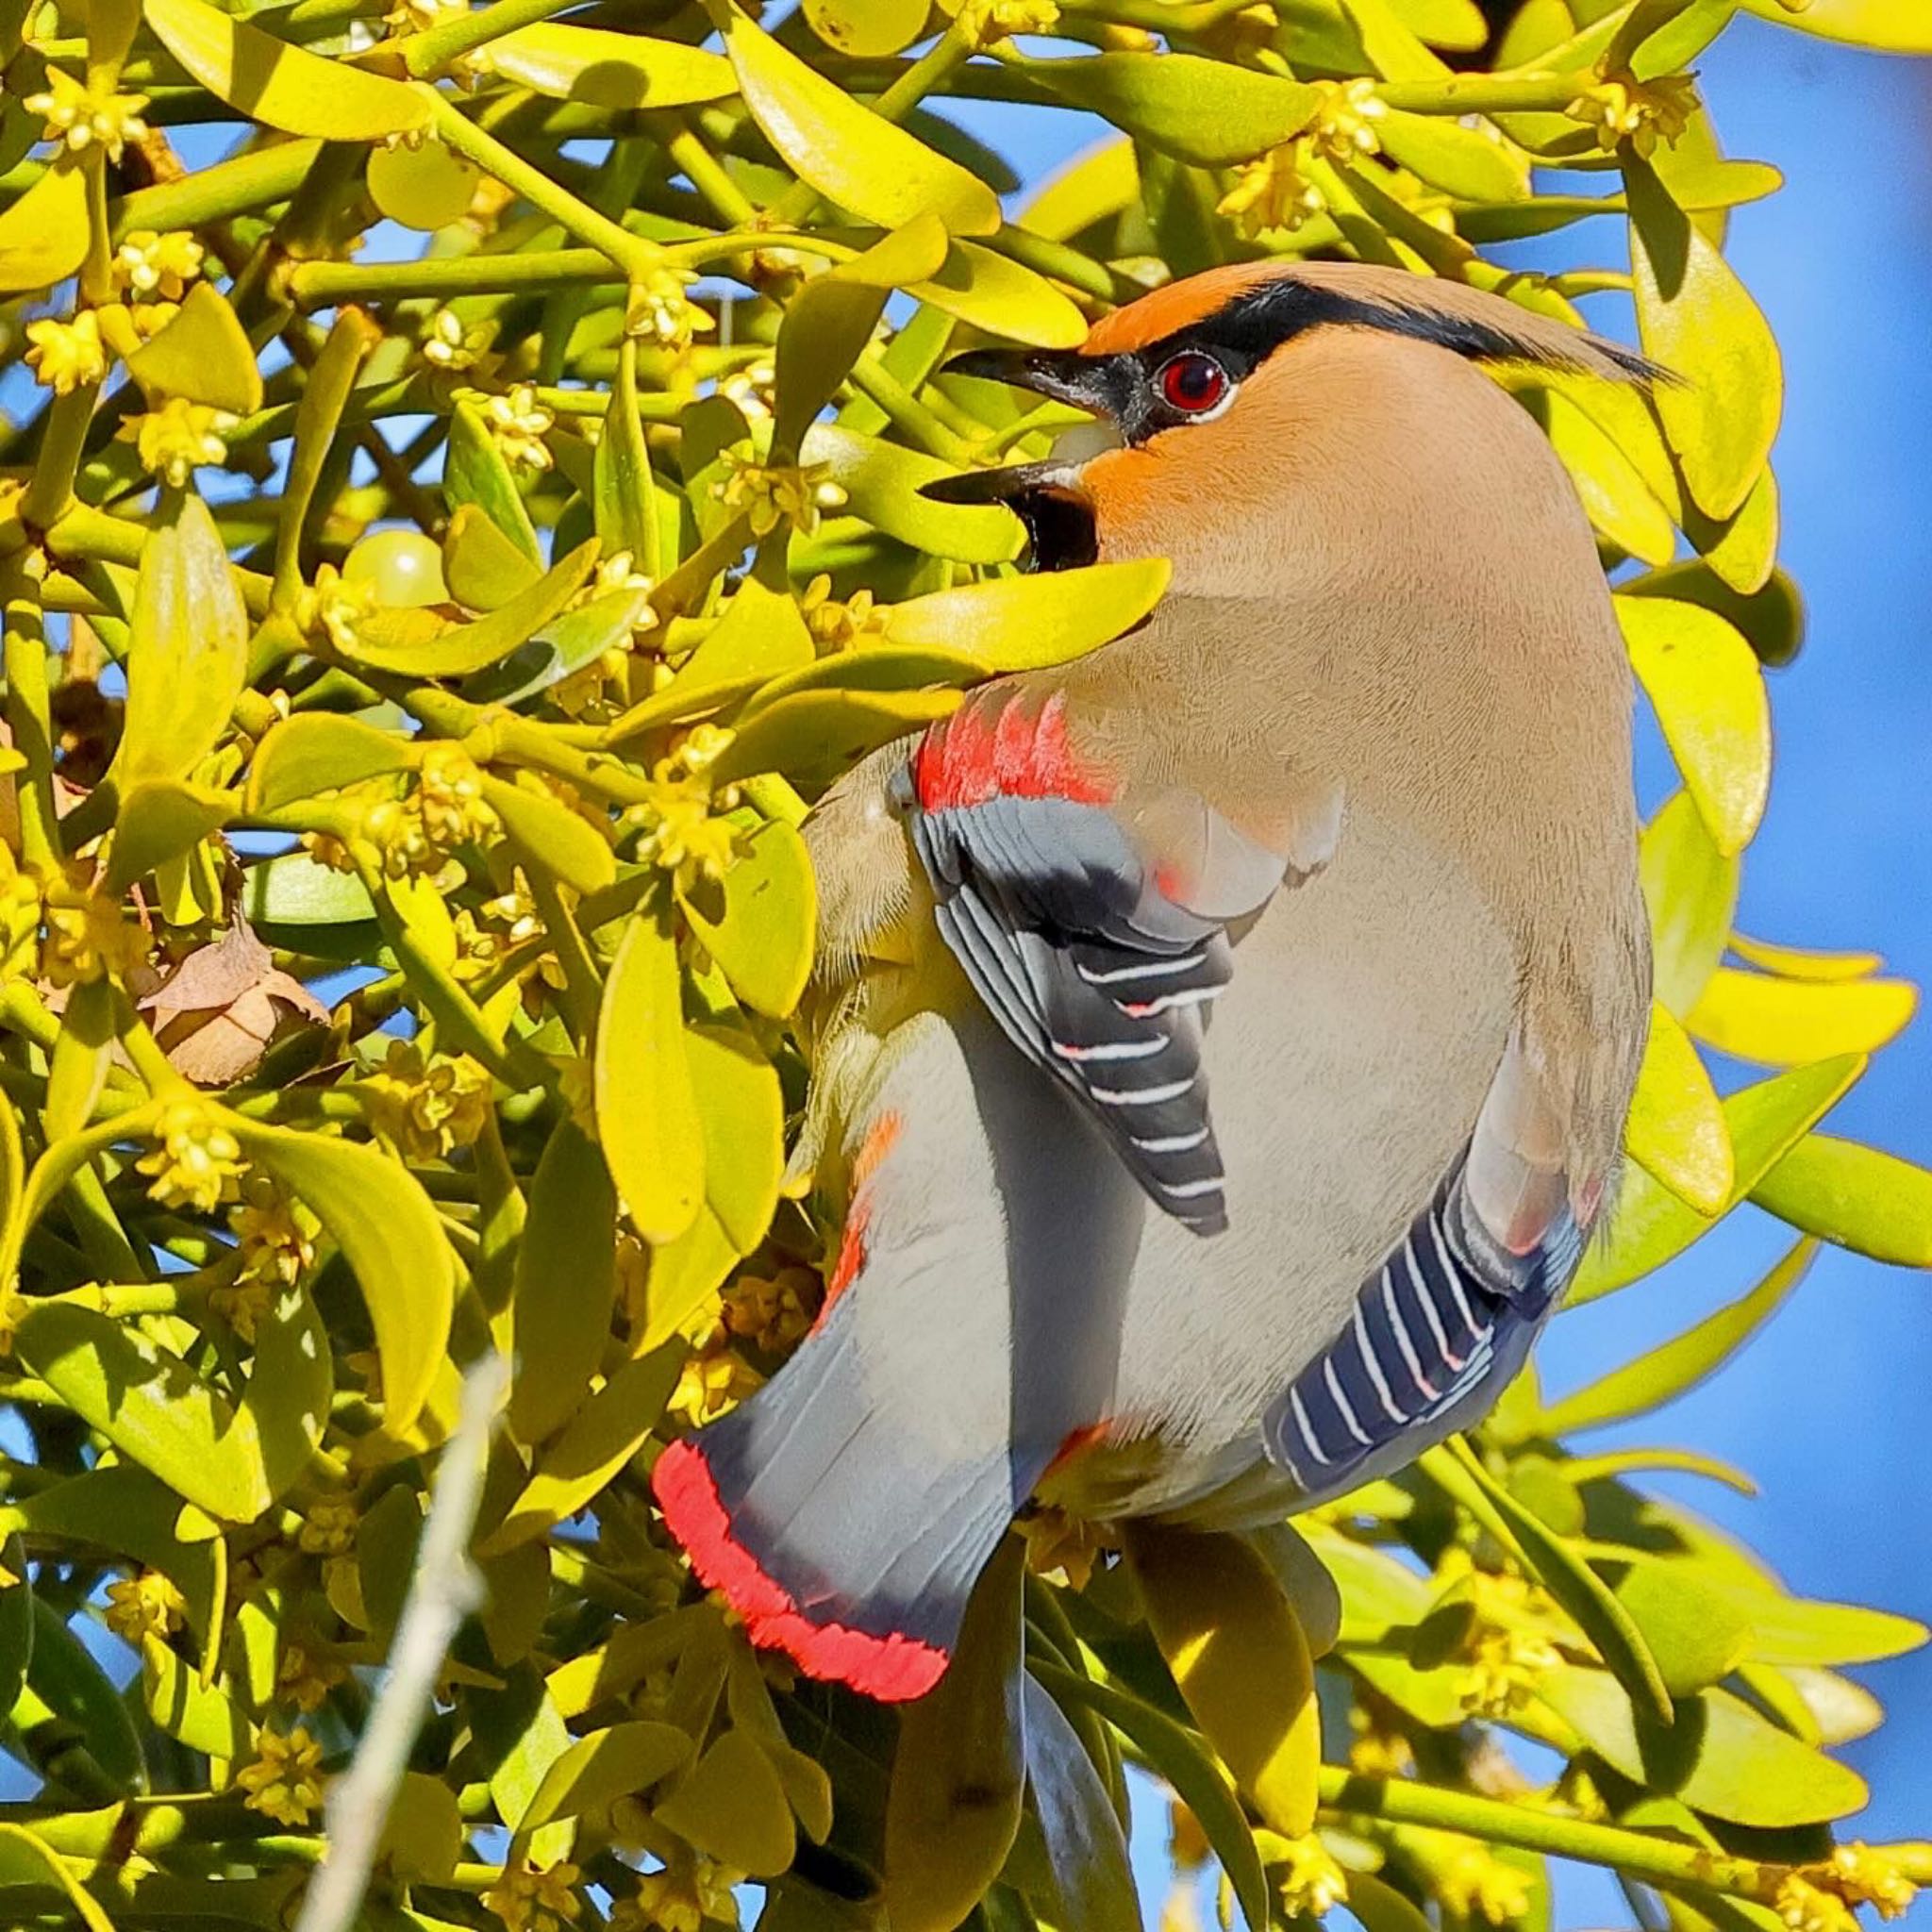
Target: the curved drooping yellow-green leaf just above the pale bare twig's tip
pixel 391 1239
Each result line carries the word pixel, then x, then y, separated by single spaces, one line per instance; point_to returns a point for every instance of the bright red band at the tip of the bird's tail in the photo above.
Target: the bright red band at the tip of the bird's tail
pixel 888 1668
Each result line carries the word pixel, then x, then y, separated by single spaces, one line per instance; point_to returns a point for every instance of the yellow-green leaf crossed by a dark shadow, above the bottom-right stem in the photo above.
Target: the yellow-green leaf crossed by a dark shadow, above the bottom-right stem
pixel 1720 1757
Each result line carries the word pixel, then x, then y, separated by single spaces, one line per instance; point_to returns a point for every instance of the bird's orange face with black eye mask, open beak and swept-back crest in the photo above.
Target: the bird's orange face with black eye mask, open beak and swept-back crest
pixel 1205 393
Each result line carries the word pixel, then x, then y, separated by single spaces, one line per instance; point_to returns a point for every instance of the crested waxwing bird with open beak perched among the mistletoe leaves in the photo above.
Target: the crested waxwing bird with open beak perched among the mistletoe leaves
pixel 1222 1042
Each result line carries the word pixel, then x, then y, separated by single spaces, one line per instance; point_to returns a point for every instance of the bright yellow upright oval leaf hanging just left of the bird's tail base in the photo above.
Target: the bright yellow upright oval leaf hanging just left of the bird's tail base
pixel 646 1108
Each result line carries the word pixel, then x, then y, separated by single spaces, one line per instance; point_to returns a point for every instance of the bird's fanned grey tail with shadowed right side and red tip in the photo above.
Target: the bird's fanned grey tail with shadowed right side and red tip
pixel 849 1508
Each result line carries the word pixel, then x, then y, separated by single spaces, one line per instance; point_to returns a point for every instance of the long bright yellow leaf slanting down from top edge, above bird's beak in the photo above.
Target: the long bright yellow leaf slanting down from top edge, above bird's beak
pixel 845 152
